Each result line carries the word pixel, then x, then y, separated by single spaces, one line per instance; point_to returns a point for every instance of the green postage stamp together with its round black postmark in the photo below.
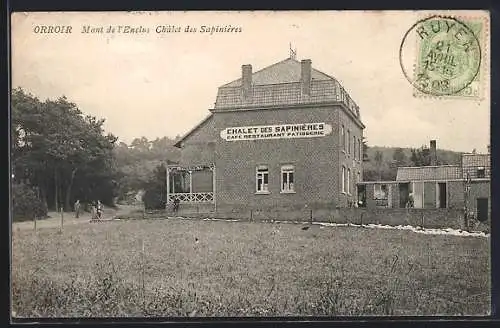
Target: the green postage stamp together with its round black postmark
pixel 449 56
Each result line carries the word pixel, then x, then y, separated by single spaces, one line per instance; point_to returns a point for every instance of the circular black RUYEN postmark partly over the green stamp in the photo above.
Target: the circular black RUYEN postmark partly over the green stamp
pixel 440 56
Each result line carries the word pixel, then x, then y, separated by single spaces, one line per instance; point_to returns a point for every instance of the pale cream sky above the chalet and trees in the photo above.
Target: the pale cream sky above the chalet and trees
pixel 163 84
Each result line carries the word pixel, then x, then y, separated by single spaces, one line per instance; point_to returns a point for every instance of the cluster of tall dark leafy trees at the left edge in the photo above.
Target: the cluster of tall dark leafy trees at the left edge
pixel 59 154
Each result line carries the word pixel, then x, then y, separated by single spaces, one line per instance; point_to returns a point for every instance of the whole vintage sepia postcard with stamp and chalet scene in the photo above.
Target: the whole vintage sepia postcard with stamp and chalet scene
pixel 260 163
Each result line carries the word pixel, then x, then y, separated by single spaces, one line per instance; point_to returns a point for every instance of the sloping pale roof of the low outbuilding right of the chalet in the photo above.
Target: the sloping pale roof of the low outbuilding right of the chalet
pixel 442 172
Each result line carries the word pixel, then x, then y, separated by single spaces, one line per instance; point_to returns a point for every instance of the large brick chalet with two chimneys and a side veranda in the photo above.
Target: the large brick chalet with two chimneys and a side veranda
pixel 287 135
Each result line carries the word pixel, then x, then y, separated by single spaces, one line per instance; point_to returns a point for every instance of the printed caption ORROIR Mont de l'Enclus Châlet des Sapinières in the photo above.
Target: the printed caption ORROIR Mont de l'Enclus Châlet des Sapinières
pixel 128 29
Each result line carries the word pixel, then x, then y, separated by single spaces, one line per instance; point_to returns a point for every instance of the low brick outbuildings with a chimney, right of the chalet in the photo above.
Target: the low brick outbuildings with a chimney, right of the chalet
pixel 463 186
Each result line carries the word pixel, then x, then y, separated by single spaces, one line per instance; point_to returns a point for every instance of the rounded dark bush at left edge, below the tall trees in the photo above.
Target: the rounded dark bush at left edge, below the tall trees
pixel 25 203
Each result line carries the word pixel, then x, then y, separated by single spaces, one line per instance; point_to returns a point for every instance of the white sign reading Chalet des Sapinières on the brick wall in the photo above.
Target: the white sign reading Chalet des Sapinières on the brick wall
pixel 281 131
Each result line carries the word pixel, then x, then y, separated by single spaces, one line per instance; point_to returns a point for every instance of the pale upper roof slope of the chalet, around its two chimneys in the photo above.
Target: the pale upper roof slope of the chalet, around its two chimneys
pixel 285 71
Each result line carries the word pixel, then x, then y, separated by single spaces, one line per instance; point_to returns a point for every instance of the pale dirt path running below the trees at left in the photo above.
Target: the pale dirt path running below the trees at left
pixel 54 220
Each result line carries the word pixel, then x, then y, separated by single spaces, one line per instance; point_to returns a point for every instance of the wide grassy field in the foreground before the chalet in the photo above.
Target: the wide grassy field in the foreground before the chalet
pixel 214 268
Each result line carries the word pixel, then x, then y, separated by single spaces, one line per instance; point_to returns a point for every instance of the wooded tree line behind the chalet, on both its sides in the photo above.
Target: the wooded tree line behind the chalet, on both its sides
pixel 59 155
